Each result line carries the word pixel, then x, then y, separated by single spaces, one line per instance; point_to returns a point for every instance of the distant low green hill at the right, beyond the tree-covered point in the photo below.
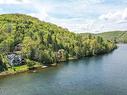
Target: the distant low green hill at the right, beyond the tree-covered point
pixel 117 36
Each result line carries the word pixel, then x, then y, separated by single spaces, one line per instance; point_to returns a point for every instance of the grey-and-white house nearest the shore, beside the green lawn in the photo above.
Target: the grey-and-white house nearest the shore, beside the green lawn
pixel 15 59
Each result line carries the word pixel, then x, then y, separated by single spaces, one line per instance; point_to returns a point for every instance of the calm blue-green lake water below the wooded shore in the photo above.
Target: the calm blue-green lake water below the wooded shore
pixel 100 75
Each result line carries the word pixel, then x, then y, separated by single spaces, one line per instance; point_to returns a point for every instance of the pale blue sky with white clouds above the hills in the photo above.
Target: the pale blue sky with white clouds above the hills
pixel 77 15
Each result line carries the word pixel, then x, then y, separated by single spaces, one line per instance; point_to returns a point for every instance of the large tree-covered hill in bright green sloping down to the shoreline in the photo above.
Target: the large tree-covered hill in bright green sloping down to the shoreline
pixel 40 42
